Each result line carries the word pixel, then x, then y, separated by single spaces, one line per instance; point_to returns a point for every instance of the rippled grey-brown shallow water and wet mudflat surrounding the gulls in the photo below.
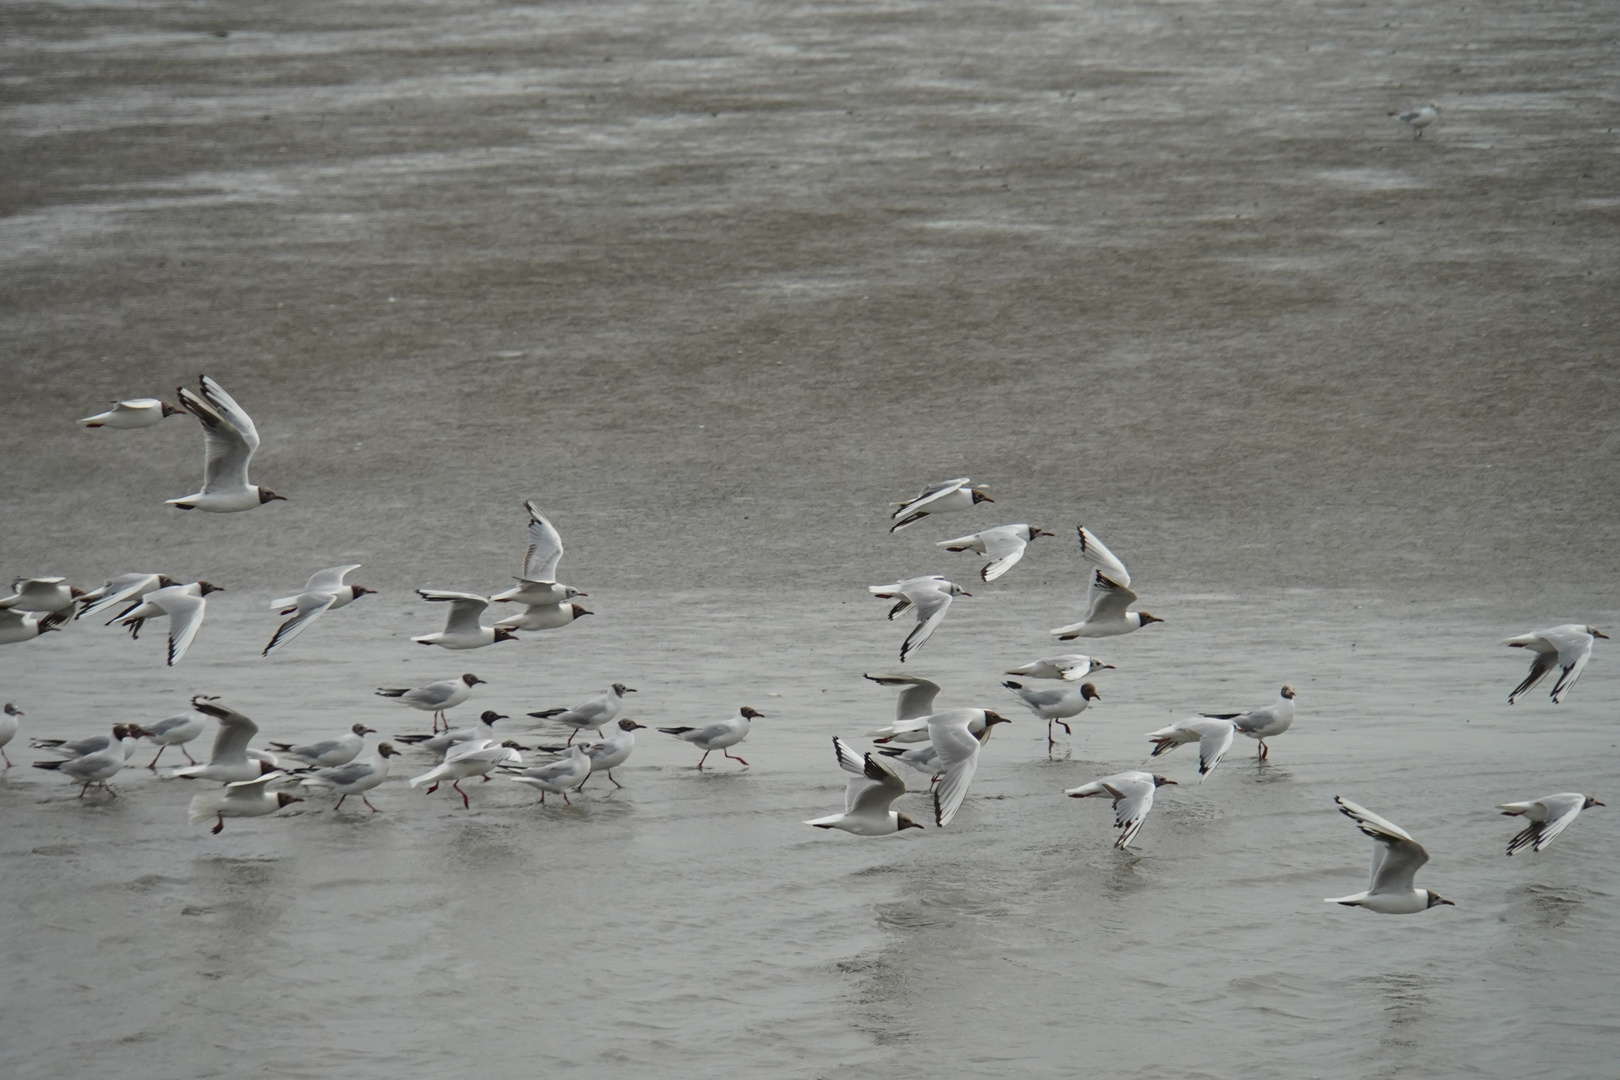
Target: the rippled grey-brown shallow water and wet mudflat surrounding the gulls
pixel 715 284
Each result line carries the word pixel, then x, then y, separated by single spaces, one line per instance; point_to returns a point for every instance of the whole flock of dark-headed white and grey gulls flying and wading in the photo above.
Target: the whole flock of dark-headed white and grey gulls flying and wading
pixel 944 744
